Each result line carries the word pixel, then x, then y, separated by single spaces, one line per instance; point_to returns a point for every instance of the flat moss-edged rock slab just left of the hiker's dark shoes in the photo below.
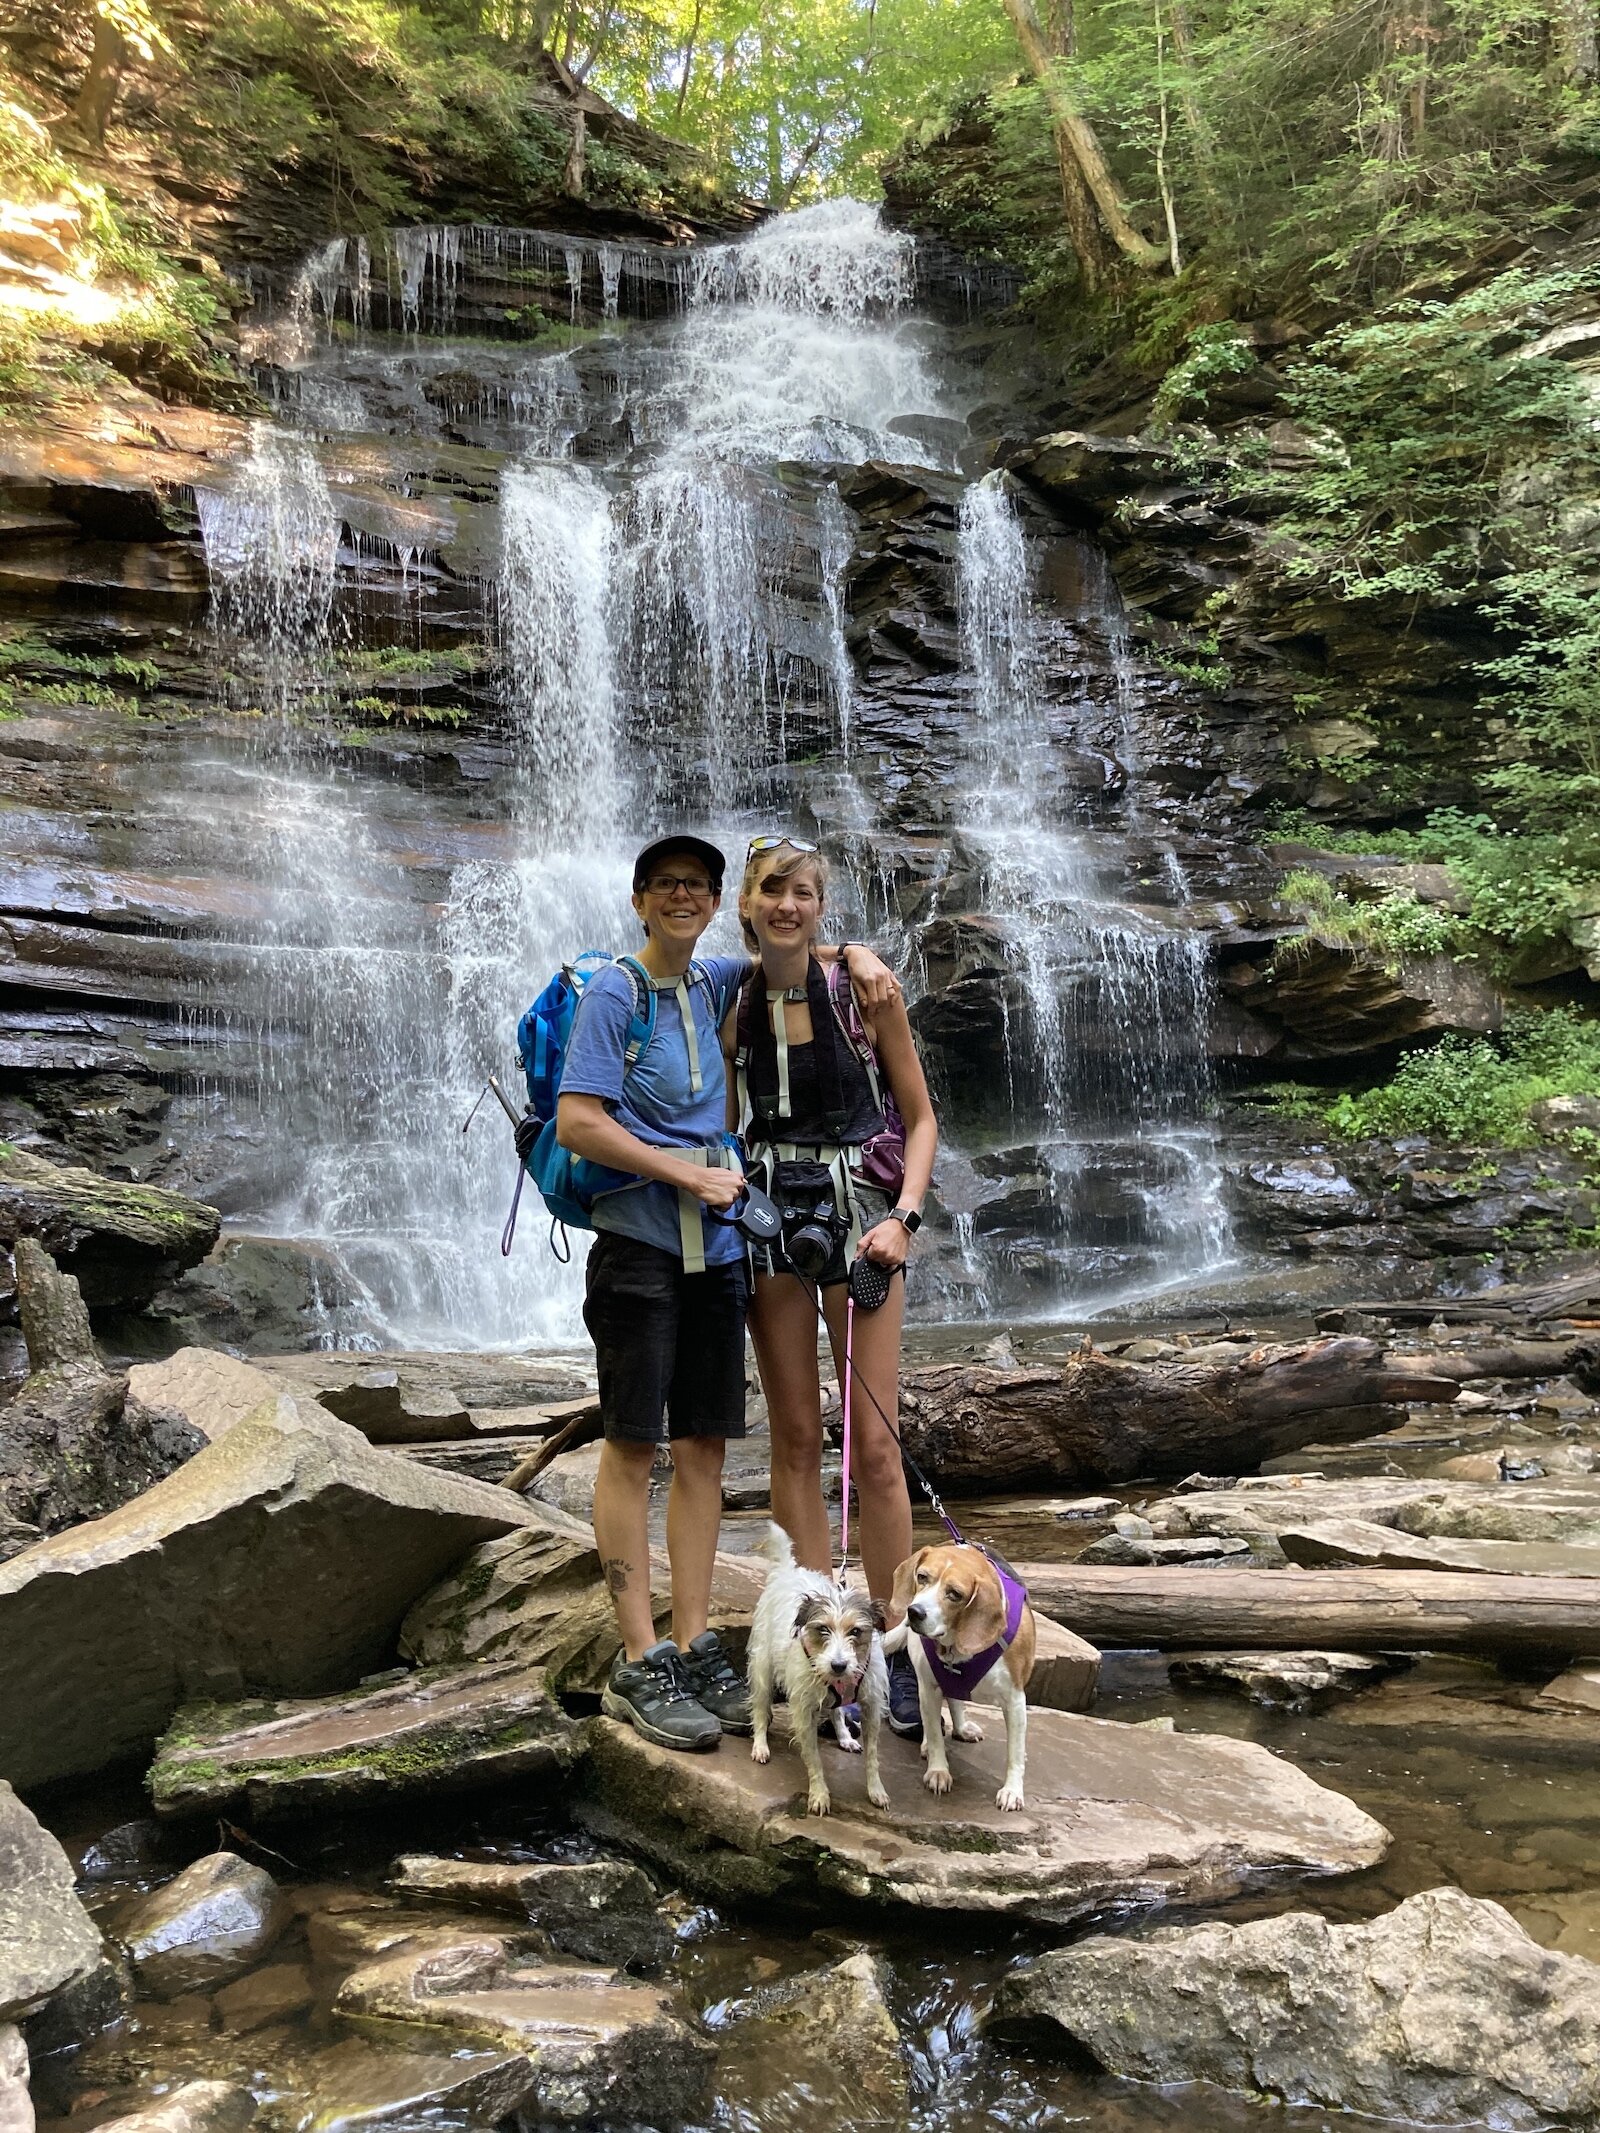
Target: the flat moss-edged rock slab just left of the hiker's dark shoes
pixel 445 1729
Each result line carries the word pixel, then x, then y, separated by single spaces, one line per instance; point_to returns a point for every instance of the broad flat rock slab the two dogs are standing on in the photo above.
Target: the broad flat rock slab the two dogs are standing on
pixel 1119 1816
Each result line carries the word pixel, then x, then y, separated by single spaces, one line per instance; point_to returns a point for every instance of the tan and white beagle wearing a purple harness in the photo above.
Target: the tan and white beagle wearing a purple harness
pixel 972 1635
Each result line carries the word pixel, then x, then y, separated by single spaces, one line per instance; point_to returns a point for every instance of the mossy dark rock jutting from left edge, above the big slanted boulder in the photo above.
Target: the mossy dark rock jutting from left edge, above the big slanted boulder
pixel 121 1242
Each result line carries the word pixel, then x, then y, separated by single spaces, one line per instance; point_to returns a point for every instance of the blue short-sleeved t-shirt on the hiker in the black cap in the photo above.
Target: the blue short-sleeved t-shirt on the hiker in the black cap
pixel 656 1100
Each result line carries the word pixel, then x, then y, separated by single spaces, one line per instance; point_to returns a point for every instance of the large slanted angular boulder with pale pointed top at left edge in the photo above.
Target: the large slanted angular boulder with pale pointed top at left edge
pixel 285 1558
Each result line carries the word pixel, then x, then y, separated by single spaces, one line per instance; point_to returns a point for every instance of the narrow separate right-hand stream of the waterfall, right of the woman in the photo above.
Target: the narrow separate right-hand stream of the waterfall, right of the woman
pixel 1110 1053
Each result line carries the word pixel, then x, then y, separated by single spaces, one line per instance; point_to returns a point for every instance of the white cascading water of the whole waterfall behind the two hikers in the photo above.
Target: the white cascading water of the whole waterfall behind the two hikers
pixel 667 592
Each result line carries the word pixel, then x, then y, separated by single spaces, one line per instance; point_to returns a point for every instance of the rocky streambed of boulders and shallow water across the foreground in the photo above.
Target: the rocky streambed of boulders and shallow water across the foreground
pixel 323 1827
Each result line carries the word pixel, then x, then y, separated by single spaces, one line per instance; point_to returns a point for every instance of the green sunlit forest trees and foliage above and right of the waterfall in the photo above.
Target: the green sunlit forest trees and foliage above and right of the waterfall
pixel 1388 208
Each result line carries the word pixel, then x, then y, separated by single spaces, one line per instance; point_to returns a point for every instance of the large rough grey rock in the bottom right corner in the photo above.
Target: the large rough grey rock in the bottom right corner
pixel 1439 2012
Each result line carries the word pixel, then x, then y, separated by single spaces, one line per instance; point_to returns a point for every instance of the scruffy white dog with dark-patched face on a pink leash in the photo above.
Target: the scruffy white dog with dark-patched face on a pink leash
pixel 827 1648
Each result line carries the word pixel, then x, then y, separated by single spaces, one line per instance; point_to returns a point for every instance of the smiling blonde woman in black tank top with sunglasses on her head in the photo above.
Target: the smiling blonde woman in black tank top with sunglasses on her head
pixel 807 1091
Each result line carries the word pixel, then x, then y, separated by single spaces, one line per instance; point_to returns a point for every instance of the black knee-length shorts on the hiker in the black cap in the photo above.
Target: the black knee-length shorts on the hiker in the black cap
pixel 671 1345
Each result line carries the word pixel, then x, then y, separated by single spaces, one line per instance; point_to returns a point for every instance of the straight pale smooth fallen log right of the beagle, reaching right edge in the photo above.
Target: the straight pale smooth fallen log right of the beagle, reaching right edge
pixel 1319 1609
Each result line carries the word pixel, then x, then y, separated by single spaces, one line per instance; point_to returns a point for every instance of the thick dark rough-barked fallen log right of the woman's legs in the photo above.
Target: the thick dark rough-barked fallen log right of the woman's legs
pixel 1102 1420
